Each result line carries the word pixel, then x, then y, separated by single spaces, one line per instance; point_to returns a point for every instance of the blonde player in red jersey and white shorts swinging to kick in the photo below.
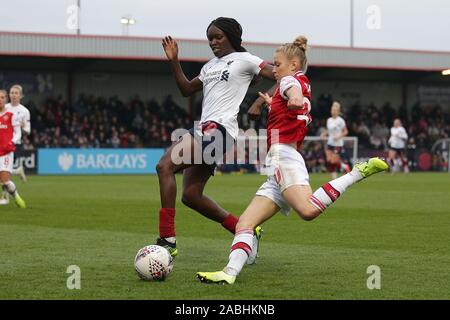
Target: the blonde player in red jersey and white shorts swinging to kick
pixel 288 186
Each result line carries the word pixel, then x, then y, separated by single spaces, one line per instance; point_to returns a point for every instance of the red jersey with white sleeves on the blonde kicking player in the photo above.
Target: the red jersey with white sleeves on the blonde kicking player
pixel 291 124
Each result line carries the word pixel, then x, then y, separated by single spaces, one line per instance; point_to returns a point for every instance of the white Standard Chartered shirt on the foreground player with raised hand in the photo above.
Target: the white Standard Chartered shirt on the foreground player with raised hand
pixel 225 83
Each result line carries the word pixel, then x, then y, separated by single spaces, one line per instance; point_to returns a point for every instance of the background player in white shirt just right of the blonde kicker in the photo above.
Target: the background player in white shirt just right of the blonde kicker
pixel 336 131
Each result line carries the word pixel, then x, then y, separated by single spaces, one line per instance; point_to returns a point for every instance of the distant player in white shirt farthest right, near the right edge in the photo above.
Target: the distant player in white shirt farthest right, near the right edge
pixel 397 145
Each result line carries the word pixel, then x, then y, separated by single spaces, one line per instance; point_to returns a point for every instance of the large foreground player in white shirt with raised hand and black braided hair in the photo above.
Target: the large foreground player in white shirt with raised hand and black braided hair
pixel 224 81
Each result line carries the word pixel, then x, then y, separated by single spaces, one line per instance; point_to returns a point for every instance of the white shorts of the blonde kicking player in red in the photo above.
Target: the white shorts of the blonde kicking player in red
pixel 285 168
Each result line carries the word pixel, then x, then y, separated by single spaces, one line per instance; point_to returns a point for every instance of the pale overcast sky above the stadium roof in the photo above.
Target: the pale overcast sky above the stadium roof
pixel 396 24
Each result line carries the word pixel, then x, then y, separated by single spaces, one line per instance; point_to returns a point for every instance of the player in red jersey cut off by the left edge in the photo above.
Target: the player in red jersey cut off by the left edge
pixel 10 134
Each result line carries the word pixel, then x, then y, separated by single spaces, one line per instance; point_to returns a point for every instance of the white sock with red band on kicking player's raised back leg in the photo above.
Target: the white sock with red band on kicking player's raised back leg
pixel 323 197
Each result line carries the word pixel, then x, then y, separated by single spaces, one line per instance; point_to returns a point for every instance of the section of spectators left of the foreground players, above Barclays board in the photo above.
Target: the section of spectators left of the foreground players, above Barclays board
pixel 97 122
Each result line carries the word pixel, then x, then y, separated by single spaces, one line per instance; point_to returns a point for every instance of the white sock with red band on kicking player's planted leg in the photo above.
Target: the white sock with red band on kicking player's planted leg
pixel 240 250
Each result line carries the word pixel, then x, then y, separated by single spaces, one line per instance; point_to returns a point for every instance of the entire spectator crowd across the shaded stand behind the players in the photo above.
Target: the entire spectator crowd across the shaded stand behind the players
pixel 98 122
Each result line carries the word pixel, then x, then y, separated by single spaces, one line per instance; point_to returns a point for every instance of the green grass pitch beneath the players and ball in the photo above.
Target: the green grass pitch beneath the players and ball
pixel 400 223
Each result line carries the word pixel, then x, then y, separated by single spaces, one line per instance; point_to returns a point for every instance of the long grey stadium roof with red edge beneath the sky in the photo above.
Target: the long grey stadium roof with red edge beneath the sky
pixel 143 48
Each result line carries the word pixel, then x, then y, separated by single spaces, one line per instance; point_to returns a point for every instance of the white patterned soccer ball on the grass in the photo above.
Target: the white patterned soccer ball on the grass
pixel 153 263
